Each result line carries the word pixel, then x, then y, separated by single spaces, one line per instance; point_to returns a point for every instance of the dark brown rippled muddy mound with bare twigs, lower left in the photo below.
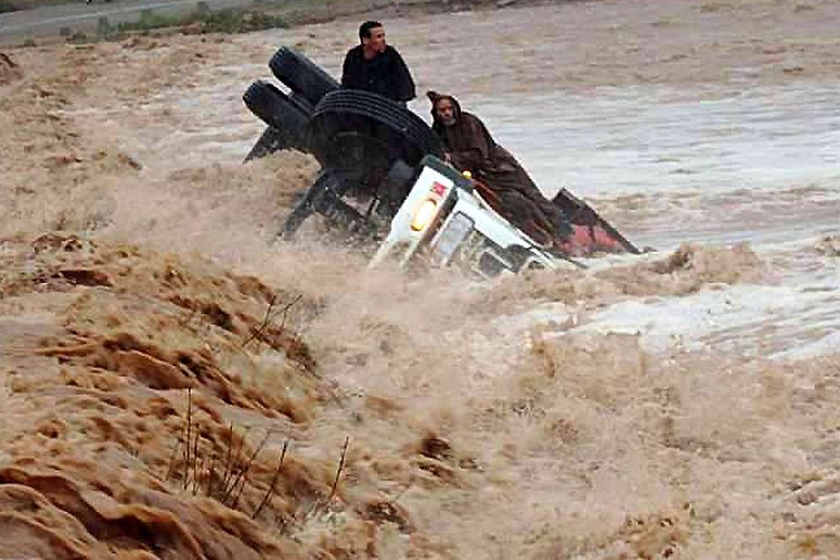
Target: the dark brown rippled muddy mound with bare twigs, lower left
pixel 162 406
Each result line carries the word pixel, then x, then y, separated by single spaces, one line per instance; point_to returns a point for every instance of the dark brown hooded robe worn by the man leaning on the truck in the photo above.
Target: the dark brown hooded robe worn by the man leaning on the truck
pixel 512 192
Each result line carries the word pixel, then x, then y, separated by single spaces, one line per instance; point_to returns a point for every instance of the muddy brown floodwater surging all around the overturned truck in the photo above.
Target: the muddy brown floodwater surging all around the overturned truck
pixel 677 404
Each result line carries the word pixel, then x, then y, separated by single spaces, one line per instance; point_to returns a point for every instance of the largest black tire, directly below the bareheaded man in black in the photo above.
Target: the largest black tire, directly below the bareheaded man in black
pixel 363 112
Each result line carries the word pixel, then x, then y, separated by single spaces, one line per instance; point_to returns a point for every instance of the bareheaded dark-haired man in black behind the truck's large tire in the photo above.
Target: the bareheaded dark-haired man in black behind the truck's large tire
pixel 377 67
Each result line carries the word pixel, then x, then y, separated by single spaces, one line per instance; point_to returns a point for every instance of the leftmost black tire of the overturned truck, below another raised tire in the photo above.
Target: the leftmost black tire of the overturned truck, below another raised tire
pixel 279 112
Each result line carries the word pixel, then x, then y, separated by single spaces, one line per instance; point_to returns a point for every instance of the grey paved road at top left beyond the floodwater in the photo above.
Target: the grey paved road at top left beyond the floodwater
pixel 49 20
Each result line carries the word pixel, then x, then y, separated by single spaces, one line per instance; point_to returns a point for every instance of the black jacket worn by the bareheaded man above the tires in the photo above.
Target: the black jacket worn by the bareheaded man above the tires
pixel 385 74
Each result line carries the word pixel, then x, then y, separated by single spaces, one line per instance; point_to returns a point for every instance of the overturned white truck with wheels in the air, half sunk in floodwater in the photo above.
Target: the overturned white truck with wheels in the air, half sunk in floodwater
pixel 383 176
